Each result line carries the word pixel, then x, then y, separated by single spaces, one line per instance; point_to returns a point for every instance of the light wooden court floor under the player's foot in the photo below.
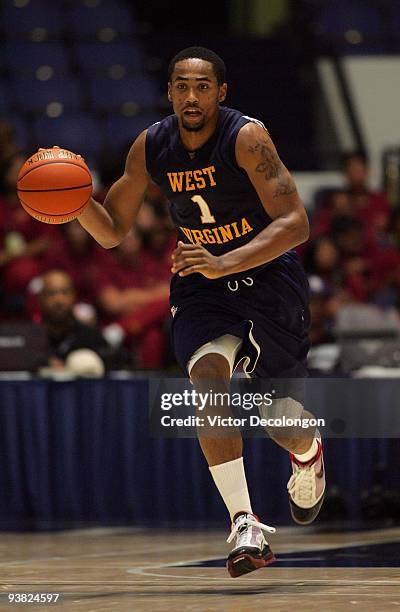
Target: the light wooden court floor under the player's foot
pixel 170 571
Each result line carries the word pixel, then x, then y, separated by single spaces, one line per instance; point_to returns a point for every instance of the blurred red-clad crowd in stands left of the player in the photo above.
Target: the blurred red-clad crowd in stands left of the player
pixel 122 291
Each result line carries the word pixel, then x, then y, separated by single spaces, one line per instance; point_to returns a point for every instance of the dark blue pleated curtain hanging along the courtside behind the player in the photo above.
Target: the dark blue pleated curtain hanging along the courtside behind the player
pixel 79 453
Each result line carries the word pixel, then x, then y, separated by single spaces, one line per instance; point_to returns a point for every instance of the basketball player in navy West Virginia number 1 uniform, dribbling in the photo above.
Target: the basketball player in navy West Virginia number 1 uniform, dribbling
pixel 238 290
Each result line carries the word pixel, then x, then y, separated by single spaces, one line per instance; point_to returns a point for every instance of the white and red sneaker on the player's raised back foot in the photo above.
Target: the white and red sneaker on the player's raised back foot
pixel 306 487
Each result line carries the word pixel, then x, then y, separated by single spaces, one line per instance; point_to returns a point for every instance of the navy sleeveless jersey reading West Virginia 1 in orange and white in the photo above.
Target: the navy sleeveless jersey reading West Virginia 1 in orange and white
pixel 212 200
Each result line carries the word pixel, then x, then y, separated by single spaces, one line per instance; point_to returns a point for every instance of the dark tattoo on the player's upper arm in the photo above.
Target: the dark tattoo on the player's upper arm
pixel 272 167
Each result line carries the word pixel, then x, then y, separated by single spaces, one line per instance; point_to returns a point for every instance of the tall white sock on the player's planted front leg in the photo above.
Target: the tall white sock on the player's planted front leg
pixel 230 481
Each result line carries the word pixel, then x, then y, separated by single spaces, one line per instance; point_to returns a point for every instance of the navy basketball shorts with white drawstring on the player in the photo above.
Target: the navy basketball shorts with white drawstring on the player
pixel 267 308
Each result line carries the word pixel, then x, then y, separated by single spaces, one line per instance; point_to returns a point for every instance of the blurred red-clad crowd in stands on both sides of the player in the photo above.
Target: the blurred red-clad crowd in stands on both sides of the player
pixel 353 256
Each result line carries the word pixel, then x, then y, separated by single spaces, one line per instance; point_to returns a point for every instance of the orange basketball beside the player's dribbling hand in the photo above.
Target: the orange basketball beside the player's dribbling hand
pixel 54 185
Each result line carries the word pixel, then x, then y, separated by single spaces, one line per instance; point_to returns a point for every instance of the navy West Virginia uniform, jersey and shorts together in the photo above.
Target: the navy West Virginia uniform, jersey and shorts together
pixel 213 203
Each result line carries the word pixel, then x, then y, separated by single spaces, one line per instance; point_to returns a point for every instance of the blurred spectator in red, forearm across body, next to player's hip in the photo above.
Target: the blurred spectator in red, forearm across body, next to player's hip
pixel 131 294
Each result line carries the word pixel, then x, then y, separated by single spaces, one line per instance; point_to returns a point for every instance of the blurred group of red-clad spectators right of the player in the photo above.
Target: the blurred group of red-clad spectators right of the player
pixel 353 255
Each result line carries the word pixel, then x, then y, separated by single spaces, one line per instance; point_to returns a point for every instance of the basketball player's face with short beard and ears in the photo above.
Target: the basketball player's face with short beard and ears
pixel 195 93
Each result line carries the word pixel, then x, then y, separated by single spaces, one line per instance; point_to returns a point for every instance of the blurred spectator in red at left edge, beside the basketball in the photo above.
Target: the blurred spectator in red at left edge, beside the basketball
pixel 23 240
